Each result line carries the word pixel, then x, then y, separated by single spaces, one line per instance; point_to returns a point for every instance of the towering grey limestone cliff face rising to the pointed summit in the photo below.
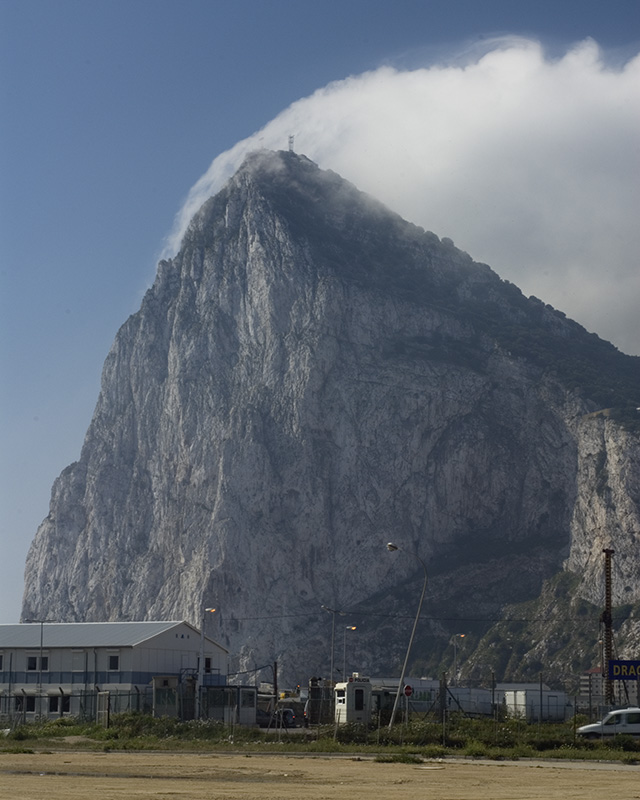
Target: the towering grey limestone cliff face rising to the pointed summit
pixel 309 378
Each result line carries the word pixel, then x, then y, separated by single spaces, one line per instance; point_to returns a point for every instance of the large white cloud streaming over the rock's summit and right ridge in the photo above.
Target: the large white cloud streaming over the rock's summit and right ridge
pixel 530 164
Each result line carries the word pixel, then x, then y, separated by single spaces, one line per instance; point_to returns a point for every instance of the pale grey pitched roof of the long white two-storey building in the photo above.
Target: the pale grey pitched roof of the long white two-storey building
pixel 84 634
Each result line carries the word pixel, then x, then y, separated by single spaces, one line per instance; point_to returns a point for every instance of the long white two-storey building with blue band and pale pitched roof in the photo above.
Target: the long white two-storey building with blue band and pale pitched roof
pixel 85 668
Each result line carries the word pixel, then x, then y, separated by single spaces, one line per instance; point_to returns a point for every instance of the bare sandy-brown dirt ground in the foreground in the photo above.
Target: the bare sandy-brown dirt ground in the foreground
pixel 139 776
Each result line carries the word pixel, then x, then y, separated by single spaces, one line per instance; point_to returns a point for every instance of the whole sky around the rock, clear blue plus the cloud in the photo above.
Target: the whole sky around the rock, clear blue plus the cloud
pixel 112 111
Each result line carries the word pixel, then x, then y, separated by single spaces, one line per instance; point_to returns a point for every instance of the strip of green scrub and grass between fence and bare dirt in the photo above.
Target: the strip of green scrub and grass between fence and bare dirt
pixel 421 738
